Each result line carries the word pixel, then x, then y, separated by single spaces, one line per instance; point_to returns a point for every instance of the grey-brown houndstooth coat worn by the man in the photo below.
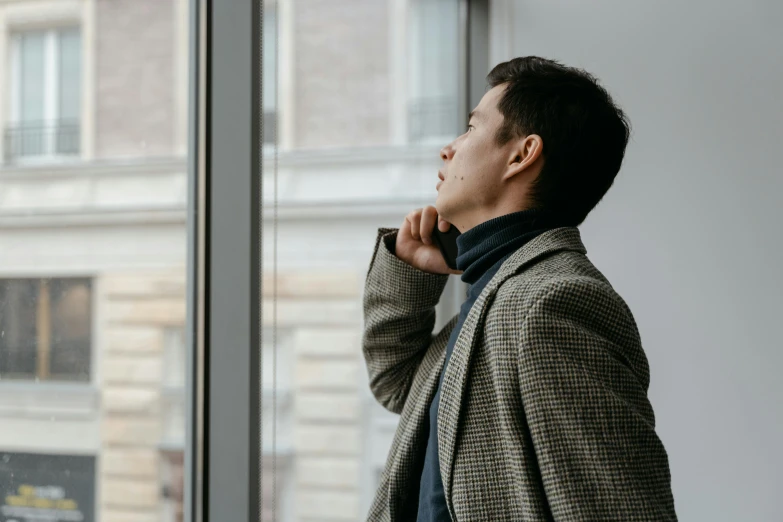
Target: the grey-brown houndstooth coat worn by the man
pixel 543 412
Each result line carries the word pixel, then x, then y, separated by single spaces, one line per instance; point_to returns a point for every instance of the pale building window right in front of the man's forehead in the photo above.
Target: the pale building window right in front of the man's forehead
pixel 433 71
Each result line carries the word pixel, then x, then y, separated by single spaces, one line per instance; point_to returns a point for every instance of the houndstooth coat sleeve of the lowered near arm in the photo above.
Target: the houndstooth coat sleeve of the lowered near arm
pixel 583 379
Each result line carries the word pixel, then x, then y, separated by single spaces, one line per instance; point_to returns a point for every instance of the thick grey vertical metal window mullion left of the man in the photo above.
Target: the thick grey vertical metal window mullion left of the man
pixel 232 257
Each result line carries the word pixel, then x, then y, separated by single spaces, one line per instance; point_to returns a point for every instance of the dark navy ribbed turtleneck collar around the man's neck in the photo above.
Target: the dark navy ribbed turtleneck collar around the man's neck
pixel 484 245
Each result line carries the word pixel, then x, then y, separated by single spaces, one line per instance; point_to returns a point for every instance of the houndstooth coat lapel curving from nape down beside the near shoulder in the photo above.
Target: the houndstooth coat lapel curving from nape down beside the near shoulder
pixel 455 379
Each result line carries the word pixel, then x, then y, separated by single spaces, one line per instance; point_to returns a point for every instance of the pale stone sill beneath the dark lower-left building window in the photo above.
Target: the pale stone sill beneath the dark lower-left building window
pixel 29 399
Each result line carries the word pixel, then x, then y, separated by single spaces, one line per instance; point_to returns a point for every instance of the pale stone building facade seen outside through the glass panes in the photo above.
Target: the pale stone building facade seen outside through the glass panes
pixel 101 198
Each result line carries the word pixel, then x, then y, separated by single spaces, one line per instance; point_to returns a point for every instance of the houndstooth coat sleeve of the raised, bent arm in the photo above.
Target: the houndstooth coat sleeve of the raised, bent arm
pixel 399 316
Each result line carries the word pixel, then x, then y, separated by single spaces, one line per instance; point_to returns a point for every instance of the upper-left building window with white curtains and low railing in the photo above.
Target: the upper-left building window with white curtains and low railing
pixel 45 87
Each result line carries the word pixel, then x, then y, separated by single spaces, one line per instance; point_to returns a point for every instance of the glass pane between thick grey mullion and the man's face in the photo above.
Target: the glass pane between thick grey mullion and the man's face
pixel 361 84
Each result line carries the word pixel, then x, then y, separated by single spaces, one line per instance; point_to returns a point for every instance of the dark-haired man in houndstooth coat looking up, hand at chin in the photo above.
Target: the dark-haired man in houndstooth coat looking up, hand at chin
pixel 530 404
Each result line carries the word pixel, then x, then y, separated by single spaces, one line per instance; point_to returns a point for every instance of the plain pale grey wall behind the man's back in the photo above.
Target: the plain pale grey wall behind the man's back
pixel 690 234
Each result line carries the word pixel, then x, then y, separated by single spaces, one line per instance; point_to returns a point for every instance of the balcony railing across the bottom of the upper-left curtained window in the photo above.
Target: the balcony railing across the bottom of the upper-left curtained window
pixel 41 140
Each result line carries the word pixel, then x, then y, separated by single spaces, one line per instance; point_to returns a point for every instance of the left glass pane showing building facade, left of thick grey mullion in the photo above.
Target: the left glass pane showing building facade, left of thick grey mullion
pixel 93 266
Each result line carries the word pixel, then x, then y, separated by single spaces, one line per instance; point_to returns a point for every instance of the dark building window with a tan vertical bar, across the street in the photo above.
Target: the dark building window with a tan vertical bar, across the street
pixel 45 329
